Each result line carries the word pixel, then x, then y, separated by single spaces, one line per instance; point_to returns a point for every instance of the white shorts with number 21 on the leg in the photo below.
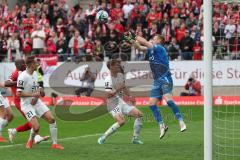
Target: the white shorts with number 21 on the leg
pixel 30 111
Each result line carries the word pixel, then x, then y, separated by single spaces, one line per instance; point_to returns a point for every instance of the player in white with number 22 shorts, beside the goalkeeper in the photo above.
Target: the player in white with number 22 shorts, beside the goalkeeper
pixel 117 107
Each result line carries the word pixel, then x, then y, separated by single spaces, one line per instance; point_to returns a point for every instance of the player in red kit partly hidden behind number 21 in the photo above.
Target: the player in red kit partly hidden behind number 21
pixel 12 82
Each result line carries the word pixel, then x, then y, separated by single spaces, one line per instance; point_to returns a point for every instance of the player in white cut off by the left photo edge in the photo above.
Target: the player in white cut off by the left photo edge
pixel 6 114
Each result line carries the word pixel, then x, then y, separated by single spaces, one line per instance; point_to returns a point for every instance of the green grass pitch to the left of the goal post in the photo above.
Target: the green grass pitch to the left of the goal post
pixel 80 139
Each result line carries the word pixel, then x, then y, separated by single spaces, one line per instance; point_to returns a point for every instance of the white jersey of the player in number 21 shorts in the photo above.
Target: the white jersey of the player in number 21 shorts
pixel 27 83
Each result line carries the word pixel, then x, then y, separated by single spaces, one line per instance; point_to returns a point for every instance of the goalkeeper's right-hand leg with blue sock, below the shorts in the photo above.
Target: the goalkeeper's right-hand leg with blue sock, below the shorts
pixel 176 111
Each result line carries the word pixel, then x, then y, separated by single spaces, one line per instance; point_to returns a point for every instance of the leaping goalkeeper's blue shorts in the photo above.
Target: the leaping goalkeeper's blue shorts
pixel 161 87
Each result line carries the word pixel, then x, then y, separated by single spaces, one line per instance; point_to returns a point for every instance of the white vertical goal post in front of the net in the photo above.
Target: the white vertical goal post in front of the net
pixel 207 21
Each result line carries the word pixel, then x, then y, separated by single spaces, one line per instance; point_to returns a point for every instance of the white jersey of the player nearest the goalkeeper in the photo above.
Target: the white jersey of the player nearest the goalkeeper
pixel 111 83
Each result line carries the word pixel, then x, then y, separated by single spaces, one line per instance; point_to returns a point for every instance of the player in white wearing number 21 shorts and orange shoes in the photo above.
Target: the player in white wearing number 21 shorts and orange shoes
pixel 32 106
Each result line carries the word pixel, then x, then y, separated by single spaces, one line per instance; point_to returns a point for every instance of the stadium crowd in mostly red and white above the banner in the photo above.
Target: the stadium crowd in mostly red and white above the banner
pixel 52 27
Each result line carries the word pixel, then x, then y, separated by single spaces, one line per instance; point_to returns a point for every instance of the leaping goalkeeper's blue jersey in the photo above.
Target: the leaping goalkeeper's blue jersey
pixel 159 62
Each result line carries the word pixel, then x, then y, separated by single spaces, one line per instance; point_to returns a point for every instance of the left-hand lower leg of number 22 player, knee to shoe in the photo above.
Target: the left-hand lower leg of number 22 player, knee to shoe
pixel 120 121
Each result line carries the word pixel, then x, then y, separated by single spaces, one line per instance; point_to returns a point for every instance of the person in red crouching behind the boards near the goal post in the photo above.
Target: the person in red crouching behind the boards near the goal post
pixel 193 86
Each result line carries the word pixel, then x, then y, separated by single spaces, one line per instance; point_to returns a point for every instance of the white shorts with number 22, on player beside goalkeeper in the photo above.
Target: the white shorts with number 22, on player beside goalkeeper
pixel 123 108
